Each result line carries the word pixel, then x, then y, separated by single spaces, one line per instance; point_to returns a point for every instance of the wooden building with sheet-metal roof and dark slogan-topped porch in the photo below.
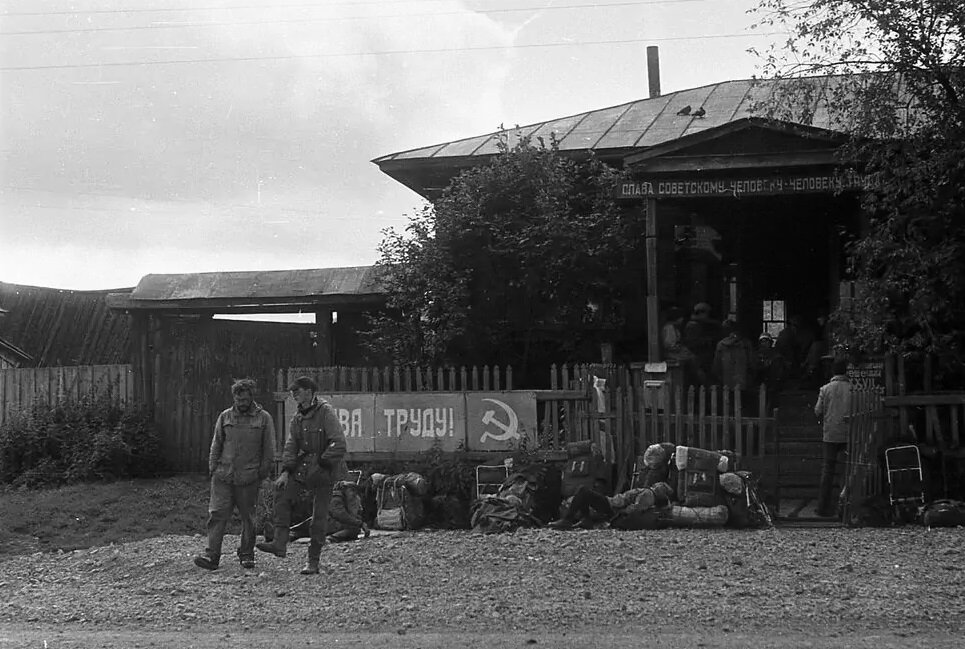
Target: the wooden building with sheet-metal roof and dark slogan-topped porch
pixel 743 213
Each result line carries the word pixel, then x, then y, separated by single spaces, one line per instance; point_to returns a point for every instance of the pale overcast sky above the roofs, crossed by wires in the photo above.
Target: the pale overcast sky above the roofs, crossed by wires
pixel 177 136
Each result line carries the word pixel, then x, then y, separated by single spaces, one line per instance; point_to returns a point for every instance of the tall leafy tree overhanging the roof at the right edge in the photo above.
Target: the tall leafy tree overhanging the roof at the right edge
pixel 896 86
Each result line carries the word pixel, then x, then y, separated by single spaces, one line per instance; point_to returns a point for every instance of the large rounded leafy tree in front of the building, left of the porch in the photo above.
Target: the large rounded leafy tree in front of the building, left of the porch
pixel 506 265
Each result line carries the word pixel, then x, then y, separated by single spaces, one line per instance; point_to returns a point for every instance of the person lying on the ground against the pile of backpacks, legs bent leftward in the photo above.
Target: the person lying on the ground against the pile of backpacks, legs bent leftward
pixel 586 501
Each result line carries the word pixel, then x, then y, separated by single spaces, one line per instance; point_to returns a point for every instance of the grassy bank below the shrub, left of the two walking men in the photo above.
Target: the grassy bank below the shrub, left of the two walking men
pixel 96 514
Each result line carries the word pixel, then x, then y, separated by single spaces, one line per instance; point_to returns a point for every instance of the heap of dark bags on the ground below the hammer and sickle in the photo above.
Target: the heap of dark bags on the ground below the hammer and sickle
pixel 527 498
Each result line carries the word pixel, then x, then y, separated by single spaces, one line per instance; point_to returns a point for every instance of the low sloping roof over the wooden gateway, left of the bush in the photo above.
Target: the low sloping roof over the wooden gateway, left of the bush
pixel 272 291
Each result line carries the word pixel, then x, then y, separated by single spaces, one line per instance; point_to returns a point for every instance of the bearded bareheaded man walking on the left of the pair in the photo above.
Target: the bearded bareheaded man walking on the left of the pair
pixel 241 455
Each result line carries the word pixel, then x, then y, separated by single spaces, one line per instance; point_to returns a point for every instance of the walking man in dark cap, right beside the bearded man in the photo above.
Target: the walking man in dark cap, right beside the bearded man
pixel 314 458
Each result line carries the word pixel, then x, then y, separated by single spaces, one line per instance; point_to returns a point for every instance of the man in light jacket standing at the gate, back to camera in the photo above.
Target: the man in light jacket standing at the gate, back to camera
pixel 833 410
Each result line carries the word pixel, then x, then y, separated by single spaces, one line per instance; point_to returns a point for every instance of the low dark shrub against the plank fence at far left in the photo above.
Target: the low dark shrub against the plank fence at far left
pixel 78 441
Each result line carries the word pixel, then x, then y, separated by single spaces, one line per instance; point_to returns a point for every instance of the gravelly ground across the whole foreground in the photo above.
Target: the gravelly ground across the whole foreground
pixel 800 587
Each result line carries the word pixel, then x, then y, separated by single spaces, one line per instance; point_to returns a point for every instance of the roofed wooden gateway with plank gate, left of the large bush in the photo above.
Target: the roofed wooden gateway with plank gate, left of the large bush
pixel 184 360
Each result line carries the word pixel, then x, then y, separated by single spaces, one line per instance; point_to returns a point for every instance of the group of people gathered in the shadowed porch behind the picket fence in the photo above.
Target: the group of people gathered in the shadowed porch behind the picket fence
pixel 711 352
